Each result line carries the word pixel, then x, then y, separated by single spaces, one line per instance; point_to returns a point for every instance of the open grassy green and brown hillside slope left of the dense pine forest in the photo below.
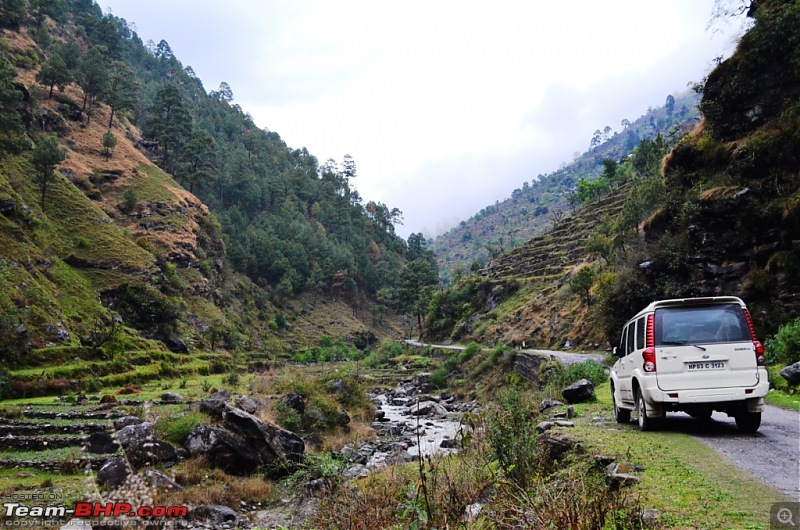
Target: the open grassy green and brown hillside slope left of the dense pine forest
pixel 120 257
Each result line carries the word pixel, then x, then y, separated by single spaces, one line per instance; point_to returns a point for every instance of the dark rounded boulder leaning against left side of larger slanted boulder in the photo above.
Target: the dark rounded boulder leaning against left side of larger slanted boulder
pixel 223 450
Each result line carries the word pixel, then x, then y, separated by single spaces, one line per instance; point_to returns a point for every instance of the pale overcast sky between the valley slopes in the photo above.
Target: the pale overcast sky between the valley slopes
pixel 446 107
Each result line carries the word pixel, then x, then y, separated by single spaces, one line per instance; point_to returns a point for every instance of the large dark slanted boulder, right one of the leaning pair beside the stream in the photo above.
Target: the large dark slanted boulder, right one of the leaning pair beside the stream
pixel 275 445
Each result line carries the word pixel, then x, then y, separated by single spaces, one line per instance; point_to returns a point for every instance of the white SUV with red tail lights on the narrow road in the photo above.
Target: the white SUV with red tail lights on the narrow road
pixel 697 355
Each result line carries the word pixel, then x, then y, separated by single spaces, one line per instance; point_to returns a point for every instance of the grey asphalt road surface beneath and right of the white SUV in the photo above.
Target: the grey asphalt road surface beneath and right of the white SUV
pixel 772 454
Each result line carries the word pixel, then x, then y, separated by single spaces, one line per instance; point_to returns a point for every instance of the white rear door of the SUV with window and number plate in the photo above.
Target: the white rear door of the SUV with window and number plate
pixel 703 346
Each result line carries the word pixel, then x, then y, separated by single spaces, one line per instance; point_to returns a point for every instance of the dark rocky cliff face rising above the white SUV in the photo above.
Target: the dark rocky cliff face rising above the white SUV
pixel 739 174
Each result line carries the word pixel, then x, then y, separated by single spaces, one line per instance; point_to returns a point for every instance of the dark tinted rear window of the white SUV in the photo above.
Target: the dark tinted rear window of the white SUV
pixel 707 324
